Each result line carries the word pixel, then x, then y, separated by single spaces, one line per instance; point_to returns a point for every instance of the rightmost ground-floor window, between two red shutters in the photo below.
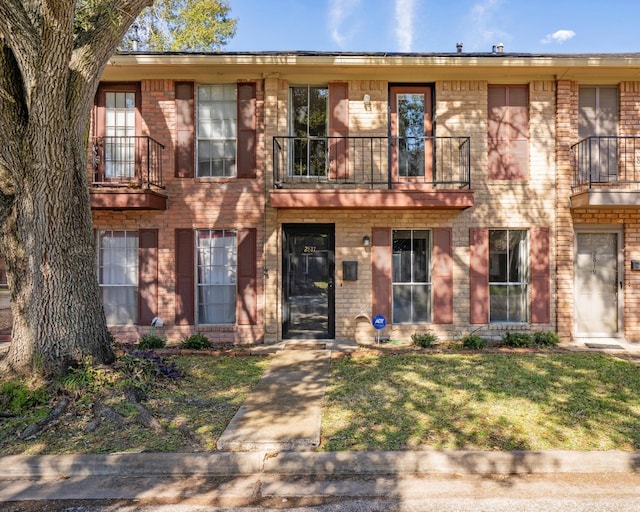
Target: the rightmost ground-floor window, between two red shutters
pixel 508 275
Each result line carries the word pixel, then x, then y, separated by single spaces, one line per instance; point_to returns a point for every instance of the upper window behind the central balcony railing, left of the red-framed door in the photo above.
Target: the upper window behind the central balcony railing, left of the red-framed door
pixel 308 124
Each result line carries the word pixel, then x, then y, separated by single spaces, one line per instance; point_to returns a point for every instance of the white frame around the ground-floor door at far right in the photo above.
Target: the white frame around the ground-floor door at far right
pixel 601 228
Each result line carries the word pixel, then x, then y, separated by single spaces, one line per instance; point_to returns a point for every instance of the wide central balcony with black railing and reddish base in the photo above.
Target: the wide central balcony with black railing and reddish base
pixel 372 172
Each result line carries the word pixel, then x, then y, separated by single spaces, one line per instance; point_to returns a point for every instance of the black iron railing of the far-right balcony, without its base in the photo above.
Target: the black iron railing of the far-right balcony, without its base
pixel 607 161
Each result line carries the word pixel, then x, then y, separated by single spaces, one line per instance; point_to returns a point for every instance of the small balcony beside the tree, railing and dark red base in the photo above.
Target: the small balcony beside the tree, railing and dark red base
pixel 126 173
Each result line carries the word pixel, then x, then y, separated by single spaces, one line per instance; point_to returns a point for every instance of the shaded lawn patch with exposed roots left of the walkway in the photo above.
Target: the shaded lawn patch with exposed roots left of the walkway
pixel 145 402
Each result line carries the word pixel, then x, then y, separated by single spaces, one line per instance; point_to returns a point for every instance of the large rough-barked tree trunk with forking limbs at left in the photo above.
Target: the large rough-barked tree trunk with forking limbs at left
pixel 52 53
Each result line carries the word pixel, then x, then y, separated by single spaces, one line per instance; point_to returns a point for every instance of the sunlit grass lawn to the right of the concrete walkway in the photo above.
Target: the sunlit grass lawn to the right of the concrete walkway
pixel 486 401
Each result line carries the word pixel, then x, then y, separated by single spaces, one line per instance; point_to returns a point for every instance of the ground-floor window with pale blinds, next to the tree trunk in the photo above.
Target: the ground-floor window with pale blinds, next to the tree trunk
pixel 118 275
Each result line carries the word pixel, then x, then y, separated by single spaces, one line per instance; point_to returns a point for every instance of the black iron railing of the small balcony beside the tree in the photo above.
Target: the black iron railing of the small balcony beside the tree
pixel 126 161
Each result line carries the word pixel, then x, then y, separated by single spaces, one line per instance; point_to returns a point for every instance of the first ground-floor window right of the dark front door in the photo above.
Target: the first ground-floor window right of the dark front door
pixel 411 276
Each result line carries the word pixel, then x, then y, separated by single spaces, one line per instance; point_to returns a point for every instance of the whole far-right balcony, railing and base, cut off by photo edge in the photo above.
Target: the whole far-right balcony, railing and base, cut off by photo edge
pixel 606 172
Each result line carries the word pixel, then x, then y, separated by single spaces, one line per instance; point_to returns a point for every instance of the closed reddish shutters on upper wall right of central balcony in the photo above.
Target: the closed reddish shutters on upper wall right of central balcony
pixel 508 132
